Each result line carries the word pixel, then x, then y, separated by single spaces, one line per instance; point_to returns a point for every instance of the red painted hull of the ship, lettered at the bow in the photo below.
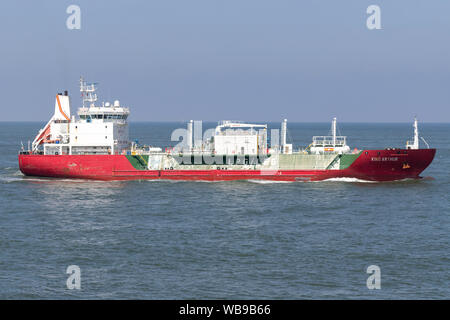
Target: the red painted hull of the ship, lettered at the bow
pixel 375 165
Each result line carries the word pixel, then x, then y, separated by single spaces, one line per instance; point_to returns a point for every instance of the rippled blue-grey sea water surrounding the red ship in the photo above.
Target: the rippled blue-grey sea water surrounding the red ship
pixel 227 240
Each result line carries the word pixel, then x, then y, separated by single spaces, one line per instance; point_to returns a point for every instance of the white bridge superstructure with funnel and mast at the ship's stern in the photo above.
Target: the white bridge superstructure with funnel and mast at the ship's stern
pixel 98 130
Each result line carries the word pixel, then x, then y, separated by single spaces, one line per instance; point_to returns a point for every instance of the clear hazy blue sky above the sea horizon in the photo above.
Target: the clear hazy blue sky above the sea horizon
pixel 257 60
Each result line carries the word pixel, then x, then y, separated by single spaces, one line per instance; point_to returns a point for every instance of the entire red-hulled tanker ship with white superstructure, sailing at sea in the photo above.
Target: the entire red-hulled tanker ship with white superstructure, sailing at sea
pixel 95 145
